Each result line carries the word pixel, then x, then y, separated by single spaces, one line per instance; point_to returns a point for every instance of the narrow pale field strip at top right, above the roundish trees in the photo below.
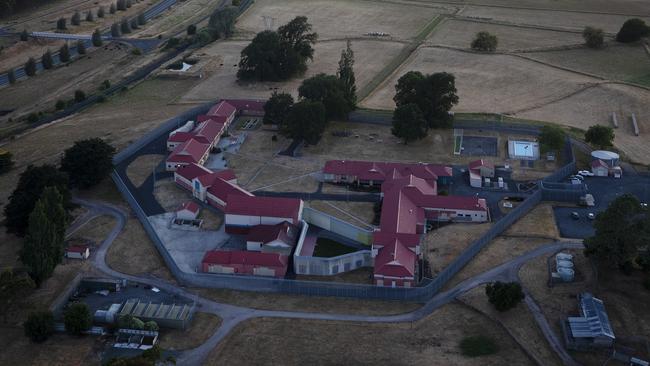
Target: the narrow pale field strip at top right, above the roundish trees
pixel 548 18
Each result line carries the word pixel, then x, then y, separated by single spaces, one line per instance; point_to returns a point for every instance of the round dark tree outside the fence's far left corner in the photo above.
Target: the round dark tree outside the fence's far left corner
pixel 88 162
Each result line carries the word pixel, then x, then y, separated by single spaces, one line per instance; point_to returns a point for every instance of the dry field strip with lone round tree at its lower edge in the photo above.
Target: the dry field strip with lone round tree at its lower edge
pixel 460 33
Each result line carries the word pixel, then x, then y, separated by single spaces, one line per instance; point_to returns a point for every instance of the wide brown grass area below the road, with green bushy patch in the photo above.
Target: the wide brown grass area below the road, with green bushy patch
pixel 431 341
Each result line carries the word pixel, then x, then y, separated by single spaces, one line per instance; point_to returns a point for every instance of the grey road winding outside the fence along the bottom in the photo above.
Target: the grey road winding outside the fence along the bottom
pixel 233 315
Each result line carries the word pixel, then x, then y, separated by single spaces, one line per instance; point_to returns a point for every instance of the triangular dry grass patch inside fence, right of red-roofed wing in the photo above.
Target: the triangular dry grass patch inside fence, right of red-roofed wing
pixel 441 246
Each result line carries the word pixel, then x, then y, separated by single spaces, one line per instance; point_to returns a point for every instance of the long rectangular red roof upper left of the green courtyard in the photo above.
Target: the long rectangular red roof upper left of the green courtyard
pixel 264 206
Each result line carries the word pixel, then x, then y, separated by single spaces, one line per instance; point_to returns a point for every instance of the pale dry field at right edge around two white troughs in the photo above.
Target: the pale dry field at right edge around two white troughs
pixel 595 105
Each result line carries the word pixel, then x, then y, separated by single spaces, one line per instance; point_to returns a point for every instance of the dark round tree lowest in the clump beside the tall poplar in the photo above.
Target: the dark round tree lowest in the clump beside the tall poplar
pixel 305 121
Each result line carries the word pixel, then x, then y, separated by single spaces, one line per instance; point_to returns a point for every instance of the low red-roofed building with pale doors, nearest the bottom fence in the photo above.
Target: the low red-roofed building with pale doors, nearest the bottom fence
pixel 245 263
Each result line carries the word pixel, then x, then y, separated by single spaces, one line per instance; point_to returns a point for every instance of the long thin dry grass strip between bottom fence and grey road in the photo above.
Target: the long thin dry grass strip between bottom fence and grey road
pixel 330 305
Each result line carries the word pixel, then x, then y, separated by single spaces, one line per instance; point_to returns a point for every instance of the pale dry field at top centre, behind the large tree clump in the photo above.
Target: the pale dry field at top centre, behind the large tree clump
pixel 342 18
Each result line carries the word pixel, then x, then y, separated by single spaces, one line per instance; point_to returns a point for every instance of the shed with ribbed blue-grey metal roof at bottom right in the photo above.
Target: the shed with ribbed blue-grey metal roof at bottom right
pixel 592 328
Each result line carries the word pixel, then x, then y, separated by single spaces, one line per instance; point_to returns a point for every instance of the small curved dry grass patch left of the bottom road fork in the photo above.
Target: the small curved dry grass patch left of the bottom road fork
pixel 202 327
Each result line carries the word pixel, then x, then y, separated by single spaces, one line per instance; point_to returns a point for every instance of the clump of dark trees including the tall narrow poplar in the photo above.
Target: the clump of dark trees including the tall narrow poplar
pixel 321 98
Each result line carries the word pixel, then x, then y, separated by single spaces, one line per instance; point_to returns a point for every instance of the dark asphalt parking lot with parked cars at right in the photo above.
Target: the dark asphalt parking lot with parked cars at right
pixel 604 191
